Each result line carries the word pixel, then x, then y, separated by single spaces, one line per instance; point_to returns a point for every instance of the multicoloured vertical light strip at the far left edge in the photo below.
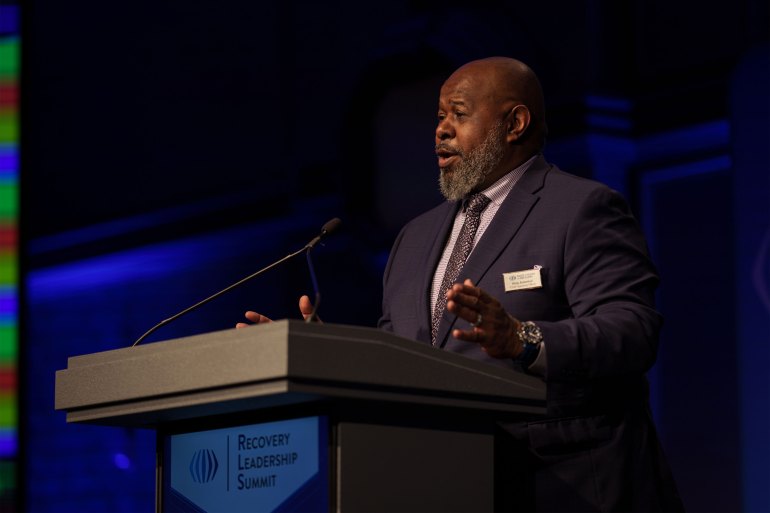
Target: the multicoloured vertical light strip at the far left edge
pixel 9 208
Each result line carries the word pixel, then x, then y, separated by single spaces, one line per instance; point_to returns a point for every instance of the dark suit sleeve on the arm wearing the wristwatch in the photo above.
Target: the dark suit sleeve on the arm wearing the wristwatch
pixel 610 284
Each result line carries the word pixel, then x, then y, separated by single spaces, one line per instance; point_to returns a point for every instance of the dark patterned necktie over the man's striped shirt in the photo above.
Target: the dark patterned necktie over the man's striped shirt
pixel 460 252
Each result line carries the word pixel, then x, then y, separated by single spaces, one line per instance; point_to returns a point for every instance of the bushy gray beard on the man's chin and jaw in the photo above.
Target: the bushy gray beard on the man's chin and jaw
pixel 473 168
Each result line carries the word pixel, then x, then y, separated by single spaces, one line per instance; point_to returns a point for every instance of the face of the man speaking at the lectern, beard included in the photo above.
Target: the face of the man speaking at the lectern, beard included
pixel 470 139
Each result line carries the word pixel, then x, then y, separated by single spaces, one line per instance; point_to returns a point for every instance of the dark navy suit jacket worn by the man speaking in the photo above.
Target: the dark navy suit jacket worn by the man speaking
pixel 597 449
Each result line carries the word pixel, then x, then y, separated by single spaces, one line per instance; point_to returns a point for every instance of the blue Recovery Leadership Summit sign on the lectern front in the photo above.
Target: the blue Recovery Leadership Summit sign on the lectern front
pixel 267 467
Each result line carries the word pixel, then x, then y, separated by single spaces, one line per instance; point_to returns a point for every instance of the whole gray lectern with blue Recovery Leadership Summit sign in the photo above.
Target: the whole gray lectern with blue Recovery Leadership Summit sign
pixel 291 416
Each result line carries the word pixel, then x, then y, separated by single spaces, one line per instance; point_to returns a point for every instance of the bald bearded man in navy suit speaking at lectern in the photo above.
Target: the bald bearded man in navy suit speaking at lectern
pixel 558 283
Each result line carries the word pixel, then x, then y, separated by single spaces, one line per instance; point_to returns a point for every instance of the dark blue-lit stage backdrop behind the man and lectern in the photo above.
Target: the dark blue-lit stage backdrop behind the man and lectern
pixel 172 148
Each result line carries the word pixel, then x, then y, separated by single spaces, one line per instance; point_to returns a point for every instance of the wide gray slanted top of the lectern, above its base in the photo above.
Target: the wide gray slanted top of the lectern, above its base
pixel 285 360
